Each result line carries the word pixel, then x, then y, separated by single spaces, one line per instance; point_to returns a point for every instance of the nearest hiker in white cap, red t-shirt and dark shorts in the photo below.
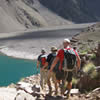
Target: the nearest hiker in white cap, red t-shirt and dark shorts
pixel 66 66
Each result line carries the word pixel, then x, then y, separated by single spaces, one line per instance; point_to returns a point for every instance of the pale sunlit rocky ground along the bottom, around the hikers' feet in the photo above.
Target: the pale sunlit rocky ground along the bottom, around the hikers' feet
pixel 29 89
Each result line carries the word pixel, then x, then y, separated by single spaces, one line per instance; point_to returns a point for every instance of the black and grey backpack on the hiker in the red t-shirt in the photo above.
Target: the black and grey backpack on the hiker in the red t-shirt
pixel 69 59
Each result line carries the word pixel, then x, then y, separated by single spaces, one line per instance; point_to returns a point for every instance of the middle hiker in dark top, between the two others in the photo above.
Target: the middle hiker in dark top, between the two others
pixel 49 61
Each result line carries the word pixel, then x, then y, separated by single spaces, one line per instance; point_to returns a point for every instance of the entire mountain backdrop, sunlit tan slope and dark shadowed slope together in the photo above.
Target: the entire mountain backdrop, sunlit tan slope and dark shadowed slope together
pixel 16 15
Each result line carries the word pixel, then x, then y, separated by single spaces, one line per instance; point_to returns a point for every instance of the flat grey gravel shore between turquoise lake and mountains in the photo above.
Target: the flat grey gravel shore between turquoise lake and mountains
pixel 28 44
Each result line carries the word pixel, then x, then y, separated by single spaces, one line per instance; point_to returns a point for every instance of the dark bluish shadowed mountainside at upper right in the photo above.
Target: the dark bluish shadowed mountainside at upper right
pixel 78 11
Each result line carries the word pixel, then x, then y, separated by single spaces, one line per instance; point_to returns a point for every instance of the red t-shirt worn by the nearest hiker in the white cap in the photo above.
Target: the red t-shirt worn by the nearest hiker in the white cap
pixel 60 55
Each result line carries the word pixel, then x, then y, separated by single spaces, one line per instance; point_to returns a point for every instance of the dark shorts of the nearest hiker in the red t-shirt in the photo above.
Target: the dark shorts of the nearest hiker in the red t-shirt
pixel 64 75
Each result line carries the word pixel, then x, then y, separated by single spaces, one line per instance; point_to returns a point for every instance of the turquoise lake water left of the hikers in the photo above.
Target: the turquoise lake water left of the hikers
pixel 12 69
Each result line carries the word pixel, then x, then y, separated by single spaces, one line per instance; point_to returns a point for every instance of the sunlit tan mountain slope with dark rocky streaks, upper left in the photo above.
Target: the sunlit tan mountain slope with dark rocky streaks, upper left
pixel 16 15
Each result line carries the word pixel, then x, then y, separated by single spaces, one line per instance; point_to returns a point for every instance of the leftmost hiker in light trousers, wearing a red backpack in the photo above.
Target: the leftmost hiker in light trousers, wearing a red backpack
pixel 41 62
